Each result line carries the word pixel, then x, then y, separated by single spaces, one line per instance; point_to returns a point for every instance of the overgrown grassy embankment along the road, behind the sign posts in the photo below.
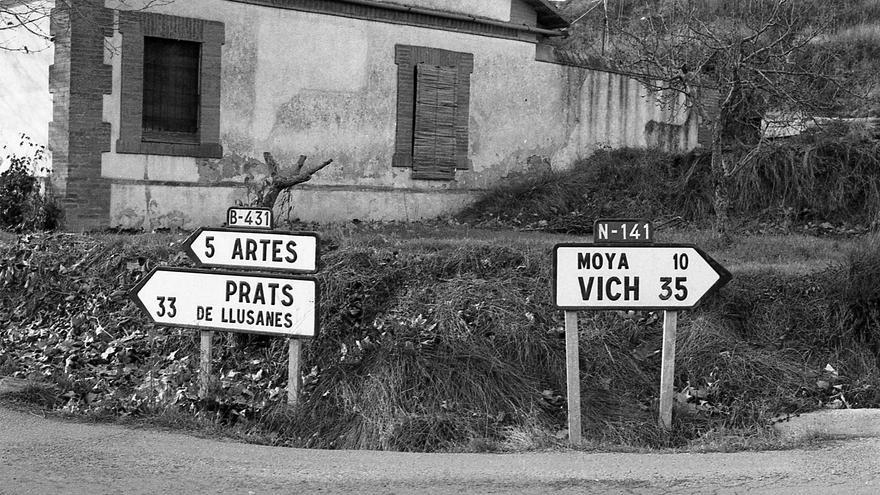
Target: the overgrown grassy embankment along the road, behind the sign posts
pixel 442 337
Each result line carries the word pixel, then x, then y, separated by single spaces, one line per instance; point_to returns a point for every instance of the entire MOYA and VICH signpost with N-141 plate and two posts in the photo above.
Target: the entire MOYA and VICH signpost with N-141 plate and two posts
pixel 625 270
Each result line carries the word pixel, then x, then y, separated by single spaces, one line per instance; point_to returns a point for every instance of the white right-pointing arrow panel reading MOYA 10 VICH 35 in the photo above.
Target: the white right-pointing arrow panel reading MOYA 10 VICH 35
pixel 658 276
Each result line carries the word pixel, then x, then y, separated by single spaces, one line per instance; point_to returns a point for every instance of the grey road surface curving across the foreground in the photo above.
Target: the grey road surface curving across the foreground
pixel 39 455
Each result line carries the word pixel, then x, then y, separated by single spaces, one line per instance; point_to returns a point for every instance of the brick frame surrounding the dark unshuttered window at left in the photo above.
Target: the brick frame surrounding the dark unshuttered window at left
pixel 134 27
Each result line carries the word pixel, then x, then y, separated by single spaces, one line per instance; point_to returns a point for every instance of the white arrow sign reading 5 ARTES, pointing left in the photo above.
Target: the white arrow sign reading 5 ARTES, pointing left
pixel 244 248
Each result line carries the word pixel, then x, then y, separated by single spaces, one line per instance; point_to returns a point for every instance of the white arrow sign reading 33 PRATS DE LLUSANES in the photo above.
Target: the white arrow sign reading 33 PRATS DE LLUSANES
pixel 273 304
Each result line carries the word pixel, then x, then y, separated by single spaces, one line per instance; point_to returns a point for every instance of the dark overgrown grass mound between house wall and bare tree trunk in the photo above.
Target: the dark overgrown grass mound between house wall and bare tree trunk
pixel 610 183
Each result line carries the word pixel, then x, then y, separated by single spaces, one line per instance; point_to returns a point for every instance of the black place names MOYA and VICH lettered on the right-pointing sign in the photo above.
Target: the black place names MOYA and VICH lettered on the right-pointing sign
pixel 603 287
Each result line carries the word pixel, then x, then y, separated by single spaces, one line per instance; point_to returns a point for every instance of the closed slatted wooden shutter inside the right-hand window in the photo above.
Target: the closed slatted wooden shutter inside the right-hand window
pixel 434 130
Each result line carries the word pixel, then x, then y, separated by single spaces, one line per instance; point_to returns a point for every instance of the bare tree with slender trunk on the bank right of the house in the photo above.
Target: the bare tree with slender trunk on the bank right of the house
pixel 738 62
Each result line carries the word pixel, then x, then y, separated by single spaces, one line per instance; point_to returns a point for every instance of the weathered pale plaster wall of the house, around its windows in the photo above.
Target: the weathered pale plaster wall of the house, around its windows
pixel 326 86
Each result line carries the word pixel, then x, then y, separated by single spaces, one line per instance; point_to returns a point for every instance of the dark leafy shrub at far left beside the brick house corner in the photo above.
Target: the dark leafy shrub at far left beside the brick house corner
pixel 23 206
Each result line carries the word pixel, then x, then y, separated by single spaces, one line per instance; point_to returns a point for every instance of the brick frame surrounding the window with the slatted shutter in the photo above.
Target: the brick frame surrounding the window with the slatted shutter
pixel 408 58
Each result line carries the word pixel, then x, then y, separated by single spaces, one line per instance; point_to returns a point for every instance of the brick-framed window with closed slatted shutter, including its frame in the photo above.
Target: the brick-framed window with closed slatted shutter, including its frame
pixel 433 96
